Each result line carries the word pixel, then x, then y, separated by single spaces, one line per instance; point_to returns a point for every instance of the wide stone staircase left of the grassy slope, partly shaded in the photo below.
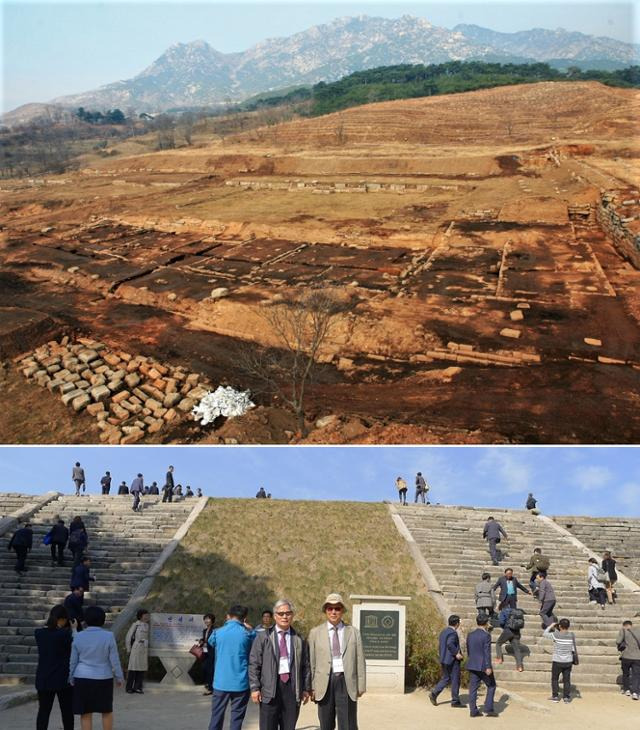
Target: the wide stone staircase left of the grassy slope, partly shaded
pixel 123 546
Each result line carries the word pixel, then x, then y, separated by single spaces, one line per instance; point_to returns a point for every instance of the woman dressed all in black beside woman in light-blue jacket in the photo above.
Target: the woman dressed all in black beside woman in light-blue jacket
pixel 52 674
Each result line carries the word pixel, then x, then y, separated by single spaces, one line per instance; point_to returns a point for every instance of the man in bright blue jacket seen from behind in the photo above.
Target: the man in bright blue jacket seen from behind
pixel 232 644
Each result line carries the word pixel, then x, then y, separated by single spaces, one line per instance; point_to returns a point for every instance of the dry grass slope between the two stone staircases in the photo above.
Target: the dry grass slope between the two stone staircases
pixel 256 551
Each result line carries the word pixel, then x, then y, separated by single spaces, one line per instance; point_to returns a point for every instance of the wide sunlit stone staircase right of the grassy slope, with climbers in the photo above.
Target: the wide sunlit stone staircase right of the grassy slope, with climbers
pixel 450 539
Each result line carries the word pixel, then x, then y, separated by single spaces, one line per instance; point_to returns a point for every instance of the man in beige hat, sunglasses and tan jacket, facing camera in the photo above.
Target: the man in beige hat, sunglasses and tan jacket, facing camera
pixel 338 669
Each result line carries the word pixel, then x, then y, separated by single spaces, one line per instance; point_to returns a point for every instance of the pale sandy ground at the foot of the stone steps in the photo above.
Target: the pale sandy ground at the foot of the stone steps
pixel 185 710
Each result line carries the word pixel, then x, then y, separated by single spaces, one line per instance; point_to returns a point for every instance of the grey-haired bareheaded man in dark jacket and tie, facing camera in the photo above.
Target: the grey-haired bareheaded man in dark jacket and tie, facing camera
pixel 279 673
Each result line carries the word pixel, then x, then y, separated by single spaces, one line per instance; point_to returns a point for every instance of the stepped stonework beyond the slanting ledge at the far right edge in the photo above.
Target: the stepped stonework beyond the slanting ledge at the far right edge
pixel 620 535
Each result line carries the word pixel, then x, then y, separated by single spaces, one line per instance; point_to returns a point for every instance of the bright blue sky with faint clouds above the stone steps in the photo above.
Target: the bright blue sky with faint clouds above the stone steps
pixel 566 480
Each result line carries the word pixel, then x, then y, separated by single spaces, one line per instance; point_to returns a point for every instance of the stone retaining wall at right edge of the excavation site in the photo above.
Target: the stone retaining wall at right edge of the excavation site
pixel 618 213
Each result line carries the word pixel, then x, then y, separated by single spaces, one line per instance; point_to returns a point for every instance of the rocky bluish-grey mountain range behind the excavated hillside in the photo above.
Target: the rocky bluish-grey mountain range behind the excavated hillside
pixel 195 74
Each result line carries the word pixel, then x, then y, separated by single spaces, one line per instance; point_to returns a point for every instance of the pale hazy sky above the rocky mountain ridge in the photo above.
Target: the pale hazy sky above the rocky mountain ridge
pixel 54 48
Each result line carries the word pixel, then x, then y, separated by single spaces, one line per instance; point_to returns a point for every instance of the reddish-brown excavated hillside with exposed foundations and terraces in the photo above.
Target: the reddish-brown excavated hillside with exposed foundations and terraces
pixel 484 248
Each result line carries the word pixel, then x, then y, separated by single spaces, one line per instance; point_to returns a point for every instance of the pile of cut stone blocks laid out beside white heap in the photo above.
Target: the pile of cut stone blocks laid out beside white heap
pixel 129 396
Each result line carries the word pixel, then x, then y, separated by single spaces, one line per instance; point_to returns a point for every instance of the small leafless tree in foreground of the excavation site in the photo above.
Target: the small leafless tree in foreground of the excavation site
pixel 301 326
